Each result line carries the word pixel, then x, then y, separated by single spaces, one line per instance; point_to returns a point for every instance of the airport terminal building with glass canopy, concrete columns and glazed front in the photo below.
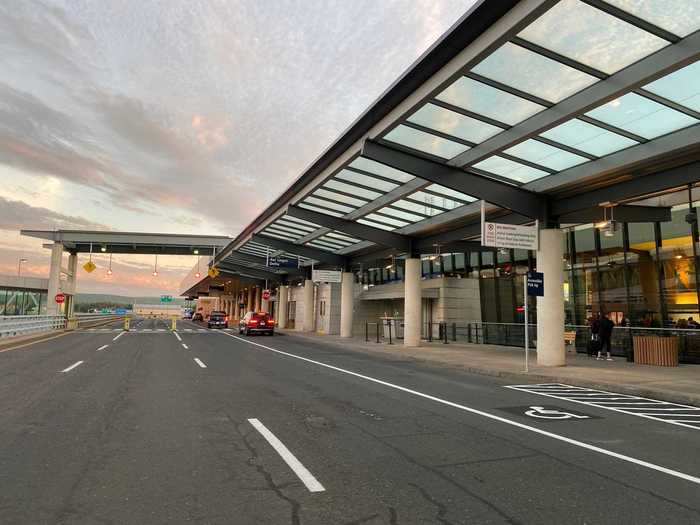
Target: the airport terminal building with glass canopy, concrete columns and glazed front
pixel 577 117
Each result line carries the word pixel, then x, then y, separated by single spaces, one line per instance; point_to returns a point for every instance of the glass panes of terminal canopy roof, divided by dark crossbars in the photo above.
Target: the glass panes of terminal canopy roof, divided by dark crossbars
pixel 567 49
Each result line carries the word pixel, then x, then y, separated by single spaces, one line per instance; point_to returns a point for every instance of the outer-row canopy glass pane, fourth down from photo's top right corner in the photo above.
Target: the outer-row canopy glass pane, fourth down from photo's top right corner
pixel 488 101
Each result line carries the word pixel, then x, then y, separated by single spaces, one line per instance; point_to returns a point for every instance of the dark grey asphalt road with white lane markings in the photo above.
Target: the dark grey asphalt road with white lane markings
pixel 156 428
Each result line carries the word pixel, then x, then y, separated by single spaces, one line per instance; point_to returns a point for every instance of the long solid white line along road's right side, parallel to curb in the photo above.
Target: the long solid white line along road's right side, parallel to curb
pixel 494 417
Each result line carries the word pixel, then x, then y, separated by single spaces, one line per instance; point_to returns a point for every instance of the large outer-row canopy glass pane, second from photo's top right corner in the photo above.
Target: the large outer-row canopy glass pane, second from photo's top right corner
pixel 588 35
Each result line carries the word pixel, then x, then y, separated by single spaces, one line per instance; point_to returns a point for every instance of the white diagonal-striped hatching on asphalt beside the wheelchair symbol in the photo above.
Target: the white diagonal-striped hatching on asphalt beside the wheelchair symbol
pixel 664 411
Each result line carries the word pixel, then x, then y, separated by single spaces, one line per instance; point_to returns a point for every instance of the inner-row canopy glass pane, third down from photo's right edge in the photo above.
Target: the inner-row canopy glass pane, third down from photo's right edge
pixel 587 137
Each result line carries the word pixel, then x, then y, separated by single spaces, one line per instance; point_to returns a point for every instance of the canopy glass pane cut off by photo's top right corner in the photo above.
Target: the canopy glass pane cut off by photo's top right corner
pixel 680 17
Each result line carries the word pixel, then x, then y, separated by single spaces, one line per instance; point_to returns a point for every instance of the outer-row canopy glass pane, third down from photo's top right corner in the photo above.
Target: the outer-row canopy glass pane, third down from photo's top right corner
pixel 533 73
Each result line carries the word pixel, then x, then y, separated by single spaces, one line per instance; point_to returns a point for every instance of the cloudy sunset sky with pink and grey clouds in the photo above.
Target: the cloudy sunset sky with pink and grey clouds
pixel 185 116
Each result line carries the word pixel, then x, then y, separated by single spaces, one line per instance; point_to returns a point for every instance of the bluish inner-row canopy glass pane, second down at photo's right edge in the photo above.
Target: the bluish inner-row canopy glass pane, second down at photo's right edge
pixel 641 116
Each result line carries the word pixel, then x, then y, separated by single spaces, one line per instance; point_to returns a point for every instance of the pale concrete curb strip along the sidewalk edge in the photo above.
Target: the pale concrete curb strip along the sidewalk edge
pixel 530 377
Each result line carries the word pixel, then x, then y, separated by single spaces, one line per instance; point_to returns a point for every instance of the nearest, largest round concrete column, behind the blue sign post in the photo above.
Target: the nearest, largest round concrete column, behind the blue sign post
pixel 550 308
